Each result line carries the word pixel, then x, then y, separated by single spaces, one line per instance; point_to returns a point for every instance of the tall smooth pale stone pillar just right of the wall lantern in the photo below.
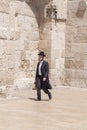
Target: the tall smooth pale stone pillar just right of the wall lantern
pixel 58 43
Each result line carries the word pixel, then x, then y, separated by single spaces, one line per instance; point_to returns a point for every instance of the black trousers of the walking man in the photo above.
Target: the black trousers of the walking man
pixel 40 84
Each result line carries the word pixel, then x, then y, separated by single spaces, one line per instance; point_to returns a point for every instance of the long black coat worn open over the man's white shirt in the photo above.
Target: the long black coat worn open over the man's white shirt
pixel 45 74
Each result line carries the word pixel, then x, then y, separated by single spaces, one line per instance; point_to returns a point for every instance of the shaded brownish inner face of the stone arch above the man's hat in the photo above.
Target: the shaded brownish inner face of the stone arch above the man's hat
pixel 37 7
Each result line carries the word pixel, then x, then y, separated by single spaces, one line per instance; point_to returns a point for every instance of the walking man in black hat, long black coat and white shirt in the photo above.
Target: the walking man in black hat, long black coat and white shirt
pixel 42 77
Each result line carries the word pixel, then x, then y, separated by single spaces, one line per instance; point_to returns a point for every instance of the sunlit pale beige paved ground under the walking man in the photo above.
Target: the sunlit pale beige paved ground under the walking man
pixel 66 111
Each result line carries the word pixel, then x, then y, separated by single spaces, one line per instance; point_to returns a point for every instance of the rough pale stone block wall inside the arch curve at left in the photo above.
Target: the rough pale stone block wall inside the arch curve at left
pixel 19 38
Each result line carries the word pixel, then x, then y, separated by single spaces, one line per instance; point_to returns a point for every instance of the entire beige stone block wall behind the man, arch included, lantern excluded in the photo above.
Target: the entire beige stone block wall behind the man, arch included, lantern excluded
pixel 24 31
